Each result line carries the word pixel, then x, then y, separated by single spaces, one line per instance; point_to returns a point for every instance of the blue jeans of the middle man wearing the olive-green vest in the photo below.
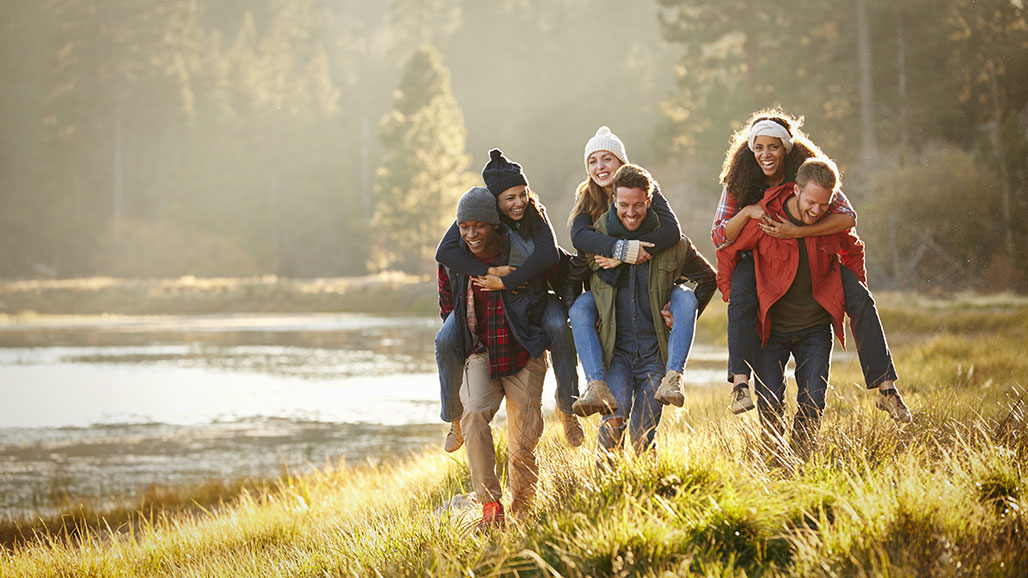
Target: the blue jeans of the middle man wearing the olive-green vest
pixel 634 382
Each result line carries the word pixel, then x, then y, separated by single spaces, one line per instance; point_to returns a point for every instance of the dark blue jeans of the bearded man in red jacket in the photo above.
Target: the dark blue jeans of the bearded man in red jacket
pixel 813 350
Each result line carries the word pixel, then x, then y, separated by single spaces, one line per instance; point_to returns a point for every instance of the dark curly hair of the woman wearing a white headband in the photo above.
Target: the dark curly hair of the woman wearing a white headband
pixel 741 173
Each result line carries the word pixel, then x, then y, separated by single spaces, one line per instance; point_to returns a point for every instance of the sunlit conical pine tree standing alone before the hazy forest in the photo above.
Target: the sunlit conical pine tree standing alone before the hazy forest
pixel 424 170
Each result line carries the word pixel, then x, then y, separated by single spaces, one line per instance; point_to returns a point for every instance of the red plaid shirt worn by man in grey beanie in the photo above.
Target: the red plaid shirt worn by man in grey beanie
pixel 506 354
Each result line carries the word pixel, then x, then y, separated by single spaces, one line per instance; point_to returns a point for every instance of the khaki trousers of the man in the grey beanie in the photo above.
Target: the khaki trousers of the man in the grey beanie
pixel 482 396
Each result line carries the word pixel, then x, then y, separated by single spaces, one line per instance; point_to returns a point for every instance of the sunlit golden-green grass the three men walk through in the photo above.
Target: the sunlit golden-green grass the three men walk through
pixel 945 496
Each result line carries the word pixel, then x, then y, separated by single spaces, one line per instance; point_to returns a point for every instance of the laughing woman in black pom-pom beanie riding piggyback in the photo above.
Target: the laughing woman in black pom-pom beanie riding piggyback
pixel 534 252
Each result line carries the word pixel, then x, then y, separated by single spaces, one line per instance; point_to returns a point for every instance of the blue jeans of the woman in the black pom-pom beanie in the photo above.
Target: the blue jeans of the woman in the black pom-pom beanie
pixel 451 360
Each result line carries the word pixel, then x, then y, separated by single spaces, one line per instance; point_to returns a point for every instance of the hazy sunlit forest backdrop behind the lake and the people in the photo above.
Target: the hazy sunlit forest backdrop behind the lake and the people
pixel 317 138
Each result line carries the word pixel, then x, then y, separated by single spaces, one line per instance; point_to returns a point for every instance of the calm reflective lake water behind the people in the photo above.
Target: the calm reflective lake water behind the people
pixel 94 408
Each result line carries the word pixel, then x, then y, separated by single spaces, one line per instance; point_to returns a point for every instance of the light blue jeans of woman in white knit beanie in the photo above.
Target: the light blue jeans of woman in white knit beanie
pixel 583 316
